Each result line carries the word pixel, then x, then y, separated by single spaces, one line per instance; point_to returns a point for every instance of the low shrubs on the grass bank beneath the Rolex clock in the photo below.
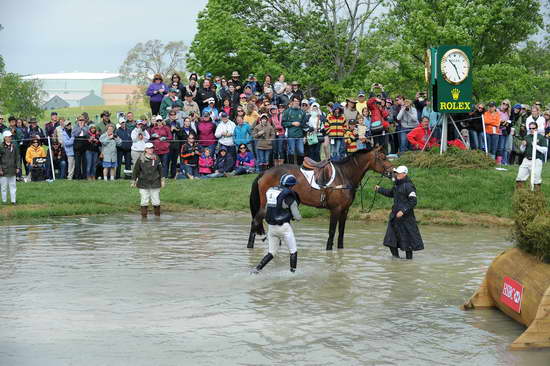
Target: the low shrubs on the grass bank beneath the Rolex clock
pixel 454 158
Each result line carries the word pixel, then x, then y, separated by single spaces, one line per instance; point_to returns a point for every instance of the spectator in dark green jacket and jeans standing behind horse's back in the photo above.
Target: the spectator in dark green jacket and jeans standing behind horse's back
pixel 294 120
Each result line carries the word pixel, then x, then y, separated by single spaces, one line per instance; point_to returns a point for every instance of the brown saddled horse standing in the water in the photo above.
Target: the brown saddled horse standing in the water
pixel 336 197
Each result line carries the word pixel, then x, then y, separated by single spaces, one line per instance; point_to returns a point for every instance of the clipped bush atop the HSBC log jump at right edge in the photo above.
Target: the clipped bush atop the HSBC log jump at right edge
pixel 531 230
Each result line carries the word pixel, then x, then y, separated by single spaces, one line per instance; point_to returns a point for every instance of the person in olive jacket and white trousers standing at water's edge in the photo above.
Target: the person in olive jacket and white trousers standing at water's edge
pixel 147 176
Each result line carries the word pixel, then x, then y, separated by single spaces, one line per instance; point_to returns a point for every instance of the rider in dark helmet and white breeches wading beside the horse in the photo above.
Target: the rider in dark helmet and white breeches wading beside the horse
pixel 282 206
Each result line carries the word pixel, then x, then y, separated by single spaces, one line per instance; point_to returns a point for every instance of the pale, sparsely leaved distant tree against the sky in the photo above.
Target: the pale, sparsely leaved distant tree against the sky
pixel 152 57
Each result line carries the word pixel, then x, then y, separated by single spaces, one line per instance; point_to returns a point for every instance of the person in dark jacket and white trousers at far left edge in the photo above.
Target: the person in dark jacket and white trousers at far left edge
pixel 9 167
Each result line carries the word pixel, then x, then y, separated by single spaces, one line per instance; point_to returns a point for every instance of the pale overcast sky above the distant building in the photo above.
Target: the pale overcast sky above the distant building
pixel 47 36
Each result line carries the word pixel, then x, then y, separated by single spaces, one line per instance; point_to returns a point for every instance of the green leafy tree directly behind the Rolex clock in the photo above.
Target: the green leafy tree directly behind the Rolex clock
pixel 493 29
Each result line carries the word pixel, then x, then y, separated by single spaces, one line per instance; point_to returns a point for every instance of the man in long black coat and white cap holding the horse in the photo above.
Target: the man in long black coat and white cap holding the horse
pixel 402 232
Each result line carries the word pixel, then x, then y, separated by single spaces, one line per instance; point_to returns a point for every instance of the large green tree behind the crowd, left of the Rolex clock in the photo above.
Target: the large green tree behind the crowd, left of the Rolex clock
pixel 318 42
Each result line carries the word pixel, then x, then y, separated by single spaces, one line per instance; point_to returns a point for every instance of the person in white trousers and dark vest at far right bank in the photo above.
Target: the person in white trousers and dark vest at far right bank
pixel 532 162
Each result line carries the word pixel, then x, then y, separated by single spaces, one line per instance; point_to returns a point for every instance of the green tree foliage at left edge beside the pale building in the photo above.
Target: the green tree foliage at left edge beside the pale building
pixel 20 97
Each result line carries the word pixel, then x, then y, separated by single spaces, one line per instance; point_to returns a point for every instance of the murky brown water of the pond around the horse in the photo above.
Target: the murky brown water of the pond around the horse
pixel 116 291
